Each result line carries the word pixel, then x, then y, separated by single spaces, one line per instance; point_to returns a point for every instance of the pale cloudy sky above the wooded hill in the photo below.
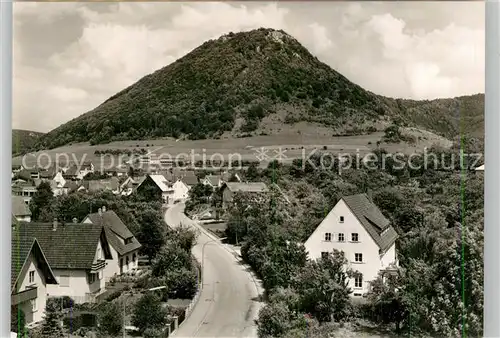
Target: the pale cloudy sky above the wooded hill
pixel 71 57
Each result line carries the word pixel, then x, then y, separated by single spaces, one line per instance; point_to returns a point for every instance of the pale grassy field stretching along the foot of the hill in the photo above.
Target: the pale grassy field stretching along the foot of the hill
pixel 263 148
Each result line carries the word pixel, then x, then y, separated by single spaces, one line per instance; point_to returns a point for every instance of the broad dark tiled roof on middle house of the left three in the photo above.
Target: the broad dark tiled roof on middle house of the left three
pixel 70 246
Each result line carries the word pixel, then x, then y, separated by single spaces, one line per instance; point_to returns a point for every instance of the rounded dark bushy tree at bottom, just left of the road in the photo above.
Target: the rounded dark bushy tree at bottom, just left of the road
pixel 149 313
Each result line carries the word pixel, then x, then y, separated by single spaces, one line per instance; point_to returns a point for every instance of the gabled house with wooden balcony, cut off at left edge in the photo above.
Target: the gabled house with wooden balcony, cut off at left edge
pixel 30 275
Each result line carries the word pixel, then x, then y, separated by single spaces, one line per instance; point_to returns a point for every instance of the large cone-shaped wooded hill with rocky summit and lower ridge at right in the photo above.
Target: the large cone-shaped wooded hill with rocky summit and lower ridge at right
pixel 248 83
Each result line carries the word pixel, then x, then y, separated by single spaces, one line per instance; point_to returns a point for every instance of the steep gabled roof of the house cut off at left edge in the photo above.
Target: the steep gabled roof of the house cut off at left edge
pixel 22 245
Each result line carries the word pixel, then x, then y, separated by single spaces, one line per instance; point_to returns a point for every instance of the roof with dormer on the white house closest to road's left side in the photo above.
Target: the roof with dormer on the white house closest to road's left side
pixel 115 229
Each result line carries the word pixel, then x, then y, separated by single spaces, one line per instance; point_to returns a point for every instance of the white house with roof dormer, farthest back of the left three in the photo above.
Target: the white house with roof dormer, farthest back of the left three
pixel 124 246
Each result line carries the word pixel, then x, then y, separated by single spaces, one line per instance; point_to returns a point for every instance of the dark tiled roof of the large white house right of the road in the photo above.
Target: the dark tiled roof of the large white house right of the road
pixel 372 220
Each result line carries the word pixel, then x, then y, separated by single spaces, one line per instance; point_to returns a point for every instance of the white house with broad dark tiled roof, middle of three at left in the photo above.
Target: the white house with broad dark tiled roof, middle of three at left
pixel 77 255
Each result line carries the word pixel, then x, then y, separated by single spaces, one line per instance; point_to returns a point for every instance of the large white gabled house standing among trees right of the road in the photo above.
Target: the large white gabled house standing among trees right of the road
pixel 358 228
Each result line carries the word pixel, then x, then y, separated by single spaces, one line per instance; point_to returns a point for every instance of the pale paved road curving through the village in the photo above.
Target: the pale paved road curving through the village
pixel 228 303
